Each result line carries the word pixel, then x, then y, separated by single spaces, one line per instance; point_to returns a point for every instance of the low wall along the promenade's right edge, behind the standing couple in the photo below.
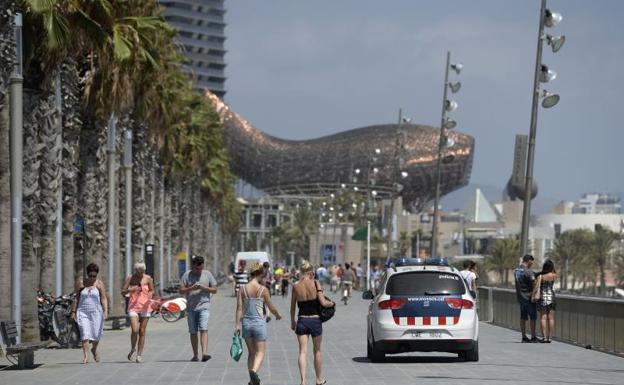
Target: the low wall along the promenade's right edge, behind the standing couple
pixel 598 322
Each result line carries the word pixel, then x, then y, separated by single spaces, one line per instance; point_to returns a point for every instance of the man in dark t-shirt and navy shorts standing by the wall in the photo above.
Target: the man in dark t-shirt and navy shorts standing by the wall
pixel 524 278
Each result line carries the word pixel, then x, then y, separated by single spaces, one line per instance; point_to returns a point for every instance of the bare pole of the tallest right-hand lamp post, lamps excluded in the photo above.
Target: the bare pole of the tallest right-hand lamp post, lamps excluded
pixel 528 183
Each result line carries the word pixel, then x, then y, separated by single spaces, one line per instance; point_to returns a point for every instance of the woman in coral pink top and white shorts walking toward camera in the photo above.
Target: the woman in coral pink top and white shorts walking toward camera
pixel 140 287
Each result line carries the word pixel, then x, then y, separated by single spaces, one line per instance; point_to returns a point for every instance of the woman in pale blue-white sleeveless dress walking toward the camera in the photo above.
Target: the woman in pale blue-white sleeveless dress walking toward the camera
pixel 90 310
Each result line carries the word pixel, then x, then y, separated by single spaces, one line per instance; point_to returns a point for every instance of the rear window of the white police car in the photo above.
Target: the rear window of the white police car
pixel 425 283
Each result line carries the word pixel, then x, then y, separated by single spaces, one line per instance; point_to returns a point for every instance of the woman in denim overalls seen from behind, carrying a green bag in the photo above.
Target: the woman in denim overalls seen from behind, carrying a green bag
pixel 250 303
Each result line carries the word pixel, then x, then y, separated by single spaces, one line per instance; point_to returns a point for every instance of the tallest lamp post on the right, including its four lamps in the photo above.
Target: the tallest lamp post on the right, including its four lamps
pixel 543 75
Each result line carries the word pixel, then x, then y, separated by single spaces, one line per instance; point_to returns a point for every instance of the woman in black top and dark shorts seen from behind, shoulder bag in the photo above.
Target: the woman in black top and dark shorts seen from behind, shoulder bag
pixel 307 294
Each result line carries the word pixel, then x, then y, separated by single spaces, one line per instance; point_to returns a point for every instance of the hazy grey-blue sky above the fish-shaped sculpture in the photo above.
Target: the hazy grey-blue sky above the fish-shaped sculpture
pixel 304 69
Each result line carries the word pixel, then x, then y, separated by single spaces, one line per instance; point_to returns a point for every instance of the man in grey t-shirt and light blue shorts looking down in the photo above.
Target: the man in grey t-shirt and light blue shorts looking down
pixel 197 284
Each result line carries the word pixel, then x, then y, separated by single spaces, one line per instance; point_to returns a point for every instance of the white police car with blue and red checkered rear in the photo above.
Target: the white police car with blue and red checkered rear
pixel 422 305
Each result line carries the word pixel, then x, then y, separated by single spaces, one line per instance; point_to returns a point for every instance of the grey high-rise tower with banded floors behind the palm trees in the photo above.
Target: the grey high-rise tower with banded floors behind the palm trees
pixel 201 28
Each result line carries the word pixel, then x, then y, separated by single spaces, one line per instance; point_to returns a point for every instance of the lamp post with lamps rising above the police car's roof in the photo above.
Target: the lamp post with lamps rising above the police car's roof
pixel 447 106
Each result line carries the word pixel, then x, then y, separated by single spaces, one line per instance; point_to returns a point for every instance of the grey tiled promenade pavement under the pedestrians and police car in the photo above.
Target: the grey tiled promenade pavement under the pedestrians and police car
pixel 503 360
